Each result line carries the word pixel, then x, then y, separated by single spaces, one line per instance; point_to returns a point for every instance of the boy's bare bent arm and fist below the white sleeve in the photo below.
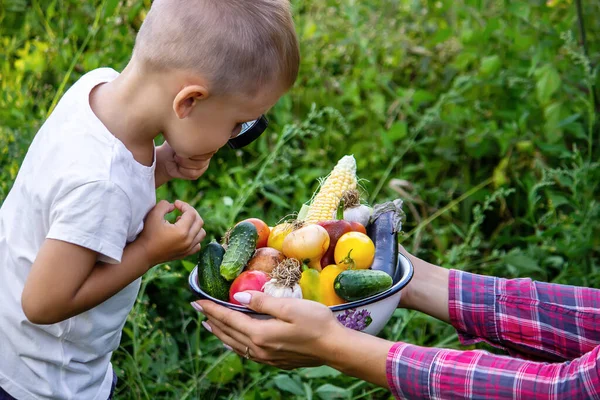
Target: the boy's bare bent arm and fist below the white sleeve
pixel 65 279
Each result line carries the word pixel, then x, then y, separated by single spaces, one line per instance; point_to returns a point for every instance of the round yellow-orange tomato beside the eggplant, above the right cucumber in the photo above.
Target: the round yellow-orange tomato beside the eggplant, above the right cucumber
pixel 354 250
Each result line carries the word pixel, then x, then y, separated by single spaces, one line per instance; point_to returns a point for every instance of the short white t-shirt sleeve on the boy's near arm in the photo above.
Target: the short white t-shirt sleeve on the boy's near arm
pixel 96 216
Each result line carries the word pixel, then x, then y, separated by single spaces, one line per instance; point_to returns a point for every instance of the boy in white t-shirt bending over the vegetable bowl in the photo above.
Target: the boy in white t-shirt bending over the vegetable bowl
pixel 80 226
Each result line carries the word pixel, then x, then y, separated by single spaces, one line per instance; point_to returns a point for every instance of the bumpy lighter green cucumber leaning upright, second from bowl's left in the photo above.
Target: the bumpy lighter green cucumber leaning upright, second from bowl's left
pixel 241 246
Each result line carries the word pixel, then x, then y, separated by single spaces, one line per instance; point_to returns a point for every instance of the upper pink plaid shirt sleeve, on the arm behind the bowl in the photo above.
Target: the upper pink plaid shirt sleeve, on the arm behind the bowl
pixel 533 320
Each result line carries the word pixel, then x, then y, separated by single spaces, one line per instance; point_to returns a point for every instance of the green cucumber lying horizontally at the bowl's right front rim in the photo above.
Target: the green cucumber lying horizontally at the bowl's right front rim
pixel 356 284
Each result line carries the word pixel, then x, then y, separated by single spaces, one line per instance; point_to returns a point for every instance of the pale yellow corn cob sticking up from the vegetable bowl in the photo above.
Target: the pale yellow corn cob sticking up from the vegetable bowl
pixel 325 203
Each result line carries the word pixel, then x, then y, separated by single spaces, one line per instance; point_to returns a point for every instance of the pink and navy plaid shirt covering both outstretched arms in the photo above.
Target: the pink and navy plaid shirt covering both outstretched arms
pixel 552 333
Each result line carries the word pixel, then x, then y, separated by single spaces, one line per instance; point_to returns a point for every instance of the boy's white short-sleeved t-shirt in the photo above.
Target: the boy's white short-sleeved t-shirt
pixel 78 184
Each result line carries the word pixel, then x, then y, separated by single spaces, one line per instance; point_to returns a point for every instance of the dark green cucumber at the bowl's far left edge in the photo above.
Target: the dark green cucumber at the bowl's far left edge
pixel 209 276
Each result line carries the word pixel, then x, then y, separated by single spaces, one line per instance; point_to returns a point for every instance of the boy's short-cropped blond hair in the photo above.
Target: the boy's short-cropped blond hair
pixel 238 45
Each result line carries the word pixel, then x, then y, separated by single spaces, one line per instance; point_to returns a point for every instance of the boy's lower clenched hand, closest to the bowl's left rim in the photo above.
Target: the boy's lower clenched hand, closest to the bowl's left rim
pixel 165 241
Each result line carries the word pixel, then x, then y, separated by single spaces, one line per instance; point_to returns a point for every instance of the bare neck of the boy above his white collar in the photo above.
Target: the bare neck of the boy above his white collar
pixel 128 107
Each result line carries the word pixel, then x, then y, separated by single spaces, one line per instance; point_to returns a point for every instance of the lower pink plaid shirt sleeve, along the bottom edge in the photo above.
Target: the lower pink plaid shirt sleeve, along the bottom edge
pixel 415 372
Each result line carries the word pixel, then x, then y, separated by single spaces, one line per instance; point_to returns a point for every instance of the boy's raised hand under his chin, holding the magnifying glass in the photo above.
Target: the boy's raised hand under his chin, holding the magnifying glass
pixel 169 165
